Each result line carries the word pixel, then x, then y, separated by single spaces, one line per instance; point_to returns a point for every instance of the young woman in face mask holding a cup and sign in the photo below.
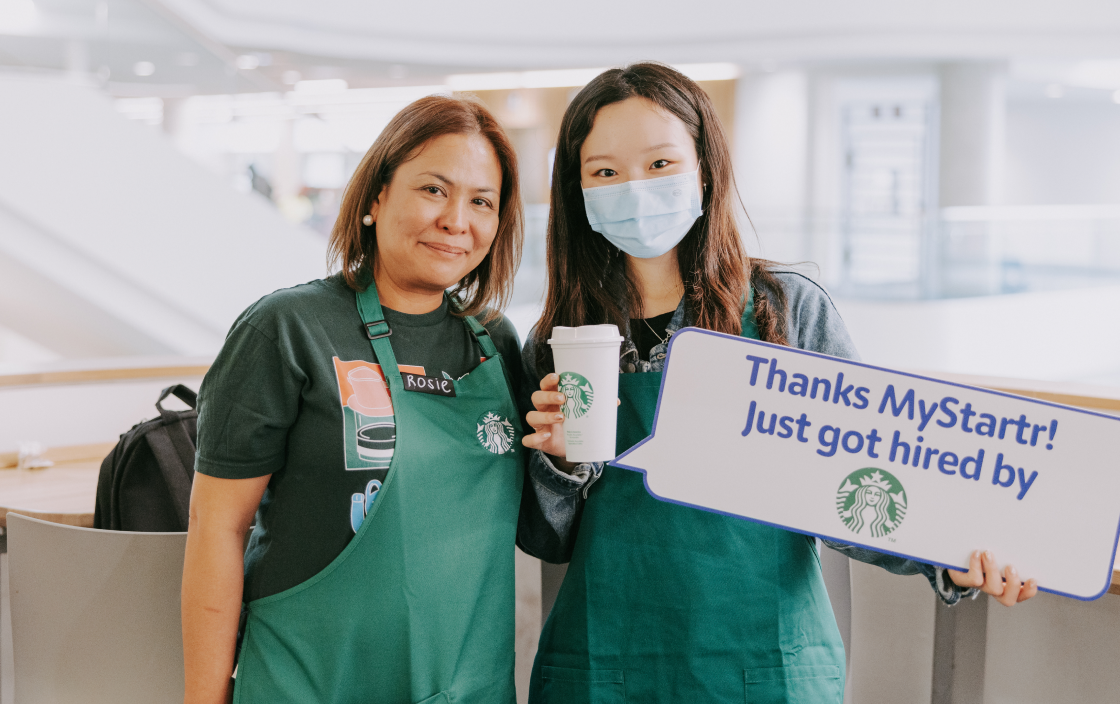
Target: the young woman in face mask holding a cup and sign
pixel 662 603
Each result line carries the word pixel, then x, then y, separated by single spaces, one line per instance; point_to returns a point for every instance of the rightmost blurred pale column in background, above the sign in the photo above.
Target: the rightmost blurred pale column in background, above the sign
pixel 974 126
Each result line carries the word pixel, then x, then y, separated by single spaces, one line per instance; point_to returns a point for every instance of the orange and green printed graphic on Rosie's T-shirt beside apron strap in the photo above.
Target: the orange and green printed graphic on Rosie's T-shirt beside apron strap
pixel 369 428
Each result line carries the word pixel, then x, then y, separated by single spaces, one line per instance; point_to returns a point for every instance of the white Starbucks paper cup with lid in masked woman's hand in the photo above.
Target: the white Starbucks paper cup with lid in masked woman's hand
pixel 587 362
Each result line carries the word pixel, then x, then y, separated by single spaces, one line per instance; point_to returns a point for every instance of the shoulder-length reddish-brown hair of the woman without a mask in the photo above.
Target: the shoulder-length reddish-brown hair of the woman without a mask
pixel 354 246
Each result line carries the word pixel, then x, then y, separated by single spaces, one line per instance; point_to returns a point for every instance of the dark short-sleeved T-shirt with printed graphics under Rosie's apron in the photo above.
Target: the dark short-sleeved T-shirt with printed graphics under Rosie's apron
pixel 296 393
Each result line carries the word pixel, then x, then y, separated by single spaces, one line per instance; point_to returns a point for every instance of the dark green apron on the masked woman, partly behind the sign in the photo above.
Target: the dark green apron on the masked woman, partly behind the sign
pixel 670 604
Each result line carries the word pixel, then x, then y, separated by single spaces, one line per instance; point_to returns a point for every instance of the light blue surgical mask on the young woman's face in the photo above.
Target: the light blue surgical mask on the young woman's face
pixel 649 218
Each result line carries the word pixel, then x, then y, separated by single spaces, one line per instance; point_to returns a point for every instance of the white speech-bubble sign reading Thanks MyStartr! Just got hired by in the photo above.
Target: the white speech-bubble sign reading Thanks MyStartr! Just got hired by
pixel 892 462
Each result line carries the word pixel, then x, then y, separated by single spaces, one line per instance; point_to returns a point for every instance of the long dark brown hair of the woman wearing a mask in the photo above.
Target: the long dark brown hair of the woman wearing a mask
pixel 589 278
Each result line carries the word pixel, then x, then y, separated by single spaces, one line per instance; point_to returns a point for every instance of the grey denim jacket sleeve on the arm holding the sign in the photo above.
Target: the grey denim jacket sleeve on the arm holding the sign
pixel 814 324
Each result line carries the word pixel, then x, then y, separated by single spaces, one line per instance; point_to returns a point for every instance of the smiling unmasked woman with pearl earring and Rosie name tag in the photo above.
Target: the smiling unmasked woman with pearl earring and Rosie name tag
pixel 354 418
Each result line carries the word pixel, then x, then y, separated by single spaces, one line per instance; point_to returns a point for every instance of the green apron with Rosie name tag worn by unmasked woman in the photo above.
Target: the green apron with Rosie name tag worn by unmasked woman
pixel 419 607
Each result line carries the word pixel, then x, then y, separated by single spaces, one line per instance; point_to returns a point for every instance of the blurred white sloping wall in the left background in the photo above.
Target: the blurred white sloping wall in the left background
pixel 106 215
